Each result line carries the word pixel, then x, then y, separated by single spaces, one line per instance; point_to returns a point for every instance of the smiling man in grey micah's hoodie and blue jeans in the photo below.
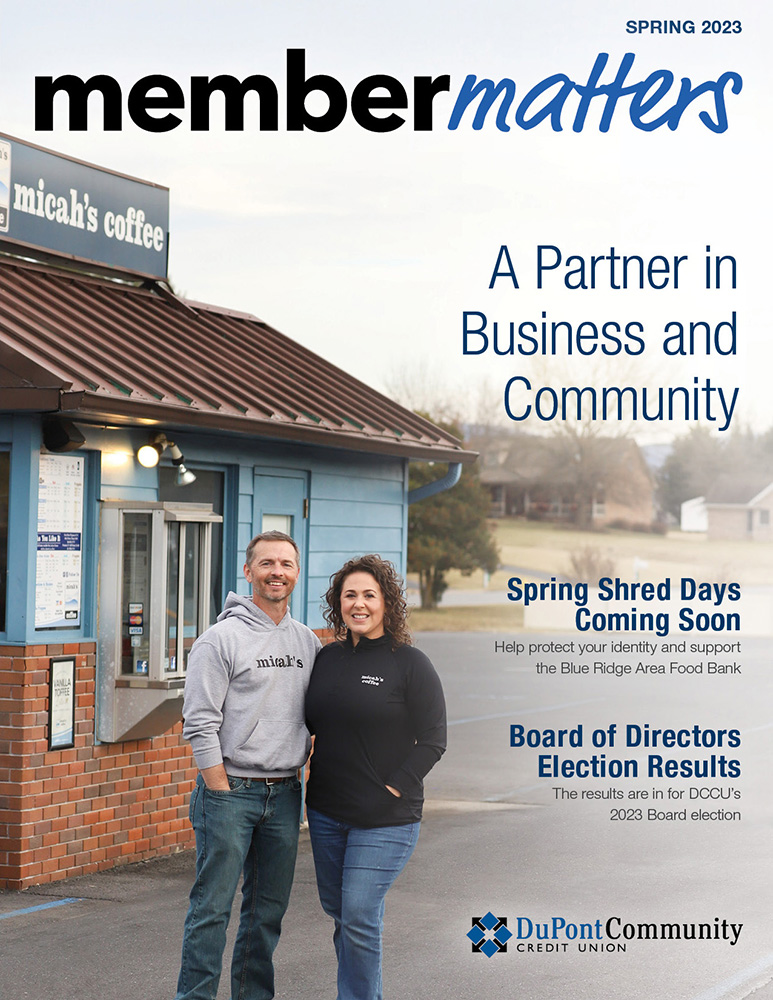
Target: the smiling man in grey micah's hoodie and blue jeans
pixel 244 716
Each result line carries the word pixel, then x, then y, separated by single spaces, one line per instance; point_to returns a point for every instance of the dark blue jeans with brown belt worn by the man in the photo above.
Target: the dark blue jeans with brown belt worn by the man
pixel 253 828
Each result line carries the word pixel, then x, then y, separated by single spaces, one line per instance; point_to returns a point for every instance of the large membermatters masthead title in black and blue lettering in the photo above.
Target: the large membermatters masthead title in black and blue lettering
pixel 656 99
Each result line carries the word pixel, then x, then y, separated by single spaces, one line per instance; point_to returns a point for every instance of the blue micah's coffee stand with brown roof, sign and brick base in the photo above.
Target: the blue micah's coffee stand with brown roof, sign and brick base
pixel 144 439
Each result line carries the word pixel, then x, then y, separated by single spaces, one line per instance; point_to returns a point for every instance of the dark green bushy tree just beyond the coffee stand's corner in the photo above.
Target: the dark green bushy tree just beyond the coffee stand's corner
pixel 448 531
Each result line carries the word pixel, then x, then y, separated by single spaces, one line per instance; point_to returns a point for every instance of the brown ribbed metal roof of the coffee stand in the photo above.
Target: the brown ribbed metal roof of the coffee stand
pixel 125 352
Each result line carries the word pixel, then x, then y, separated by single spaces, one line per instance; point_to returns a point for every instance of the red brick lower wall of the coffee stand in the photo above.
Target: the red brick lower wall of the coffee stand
pixel 70 812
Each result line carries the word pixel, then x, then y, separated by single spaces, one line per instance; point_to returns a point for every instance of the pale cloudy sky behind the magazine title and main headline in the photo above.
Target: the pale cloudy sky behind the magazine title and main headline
pixel 368 248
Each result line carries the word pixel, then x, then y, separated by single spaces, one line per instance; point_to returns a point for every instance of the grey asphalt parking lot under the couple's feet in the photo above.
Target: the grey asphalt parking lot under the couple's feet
pixel 495 838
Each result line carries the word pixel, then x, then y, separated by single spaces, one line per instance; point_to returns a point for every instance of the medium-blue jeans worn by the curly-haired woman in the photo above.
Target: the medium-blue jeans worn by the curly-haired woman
pixel 355 866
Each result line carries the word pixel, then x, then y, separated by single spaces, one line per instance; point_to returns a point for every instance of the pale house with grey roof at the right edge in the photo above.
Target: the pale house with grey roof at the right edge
pixel 740 507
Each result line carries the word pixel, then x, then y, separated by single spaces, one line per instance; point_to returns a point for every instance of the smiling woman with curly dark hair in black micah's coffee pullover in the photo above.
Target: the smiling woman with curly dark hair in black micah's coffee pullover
pixel 376 708
